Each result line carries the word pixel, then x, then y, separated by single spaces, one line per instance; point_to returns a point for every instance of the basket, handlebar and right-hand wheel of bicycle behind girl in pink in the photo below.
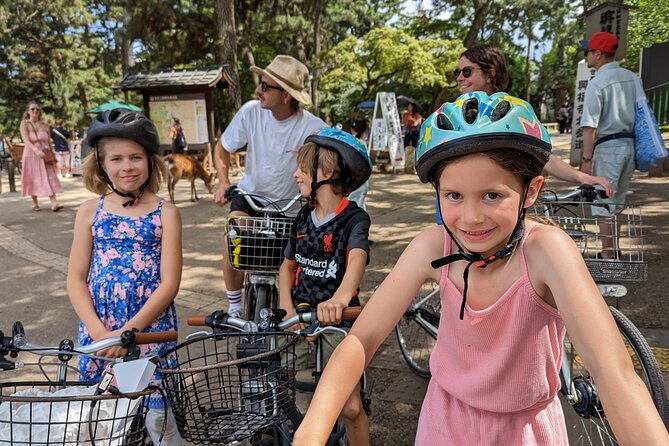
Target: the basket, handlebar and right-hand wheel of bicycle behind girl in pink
pixel 572 212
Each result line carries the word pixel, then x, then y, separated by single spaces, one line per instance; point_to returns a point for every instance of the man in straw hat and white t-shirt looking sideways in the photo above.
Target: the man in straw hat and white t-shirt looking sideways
pixel 272 128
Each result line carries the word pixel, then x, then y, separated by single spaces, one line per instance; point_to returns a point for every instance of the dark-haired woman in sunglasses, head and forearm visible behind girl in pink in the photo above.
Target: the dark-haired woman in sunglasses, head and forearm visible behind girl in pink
pixel 484 68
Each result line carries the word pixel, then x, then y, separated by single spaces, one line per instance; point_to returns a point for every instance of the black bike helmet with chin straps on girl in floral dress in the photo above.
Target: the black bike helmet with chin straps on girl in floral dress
pixel 124 123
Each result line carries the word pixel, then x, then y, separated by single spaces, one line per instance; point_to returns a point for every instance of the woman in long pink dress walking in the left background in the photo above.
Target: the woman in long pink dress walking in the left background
pixel 38 178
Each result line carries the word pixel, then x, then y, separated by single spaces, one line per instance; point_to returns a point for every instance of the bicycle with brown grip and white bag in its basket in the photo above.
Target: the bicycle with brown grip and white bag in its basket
pixel 68 412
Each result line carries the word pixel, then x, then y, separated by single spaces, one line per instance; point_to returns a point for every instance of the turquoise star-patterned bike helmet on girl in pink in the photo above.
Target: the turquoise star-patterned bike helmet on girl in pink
pixel 476 122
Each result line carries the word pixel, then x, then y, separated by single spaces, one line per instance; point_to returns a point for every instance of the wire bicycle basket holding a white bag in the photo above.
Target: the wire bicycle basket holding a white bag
pixel 44 413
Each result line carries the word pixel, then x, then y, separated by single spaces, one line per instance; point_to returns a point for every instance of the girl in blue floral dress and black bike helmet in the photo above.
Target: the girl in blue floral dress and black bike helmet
pixel 126 258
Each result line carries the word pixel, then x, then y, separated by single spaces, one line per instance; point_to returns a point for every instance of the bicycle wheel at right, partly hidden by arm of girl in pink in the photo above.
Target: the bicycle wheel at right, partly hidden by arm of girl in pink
pixel 590 426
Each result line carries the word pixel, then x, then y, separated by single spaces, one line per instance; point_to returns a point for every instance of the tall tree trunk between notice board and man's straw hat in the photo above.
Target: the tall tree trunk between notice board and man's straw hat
pixel 227 55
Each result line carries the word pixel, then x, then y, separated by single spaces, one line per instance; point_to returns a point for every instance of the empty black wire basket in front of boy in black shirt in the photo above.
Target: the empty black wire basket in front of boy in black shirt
pixel 231 386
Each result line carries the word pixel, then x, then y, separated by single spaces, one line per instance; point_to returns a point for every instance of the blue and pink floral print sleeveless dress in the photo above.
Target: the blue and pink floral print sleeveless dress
pixel 125 271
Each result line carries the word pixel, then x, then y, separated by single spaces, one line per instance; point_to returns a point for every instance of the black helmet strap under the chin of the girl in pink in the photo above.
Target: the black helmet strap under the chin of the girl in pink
pixel 475 258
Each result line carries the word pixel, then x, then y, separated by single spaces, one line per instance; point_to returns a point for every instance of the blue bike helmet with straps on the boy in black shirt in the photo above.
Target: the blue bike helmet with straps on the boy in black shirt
pixel 355 165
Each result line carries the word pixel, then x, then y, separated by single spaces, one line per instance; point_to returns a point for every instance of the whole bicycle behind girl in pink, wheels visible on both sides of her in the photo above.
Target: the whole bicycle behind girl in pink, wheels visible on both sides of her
pixel 416 331
